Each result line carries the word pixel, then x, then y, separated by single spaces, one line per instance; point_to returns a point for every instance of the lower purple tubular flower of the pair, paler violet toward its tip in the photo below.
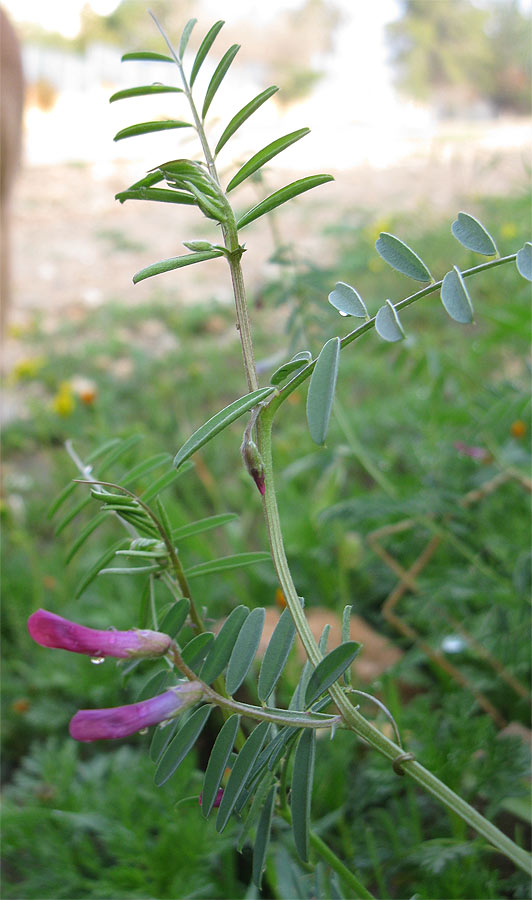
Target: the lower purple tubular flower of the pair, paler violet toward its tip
pixel 121 721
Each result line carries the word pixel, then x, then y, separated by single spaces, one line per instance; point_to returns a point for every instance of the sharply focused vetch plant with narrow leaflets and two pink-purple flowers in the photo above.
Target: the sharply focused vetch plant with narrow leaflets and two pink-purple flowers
pixel 269 751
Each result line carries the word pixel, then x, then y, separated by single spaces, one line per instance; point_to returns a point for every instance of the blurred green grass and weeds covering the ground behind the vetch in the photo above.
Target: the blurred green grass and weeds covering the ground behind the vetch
pixel 103 830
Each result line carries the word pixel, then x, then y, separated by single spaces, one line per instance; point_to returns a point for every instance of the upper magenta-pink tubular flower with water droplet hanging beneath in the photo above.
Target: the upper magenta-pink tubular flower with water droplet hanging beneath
pixel 50 630
